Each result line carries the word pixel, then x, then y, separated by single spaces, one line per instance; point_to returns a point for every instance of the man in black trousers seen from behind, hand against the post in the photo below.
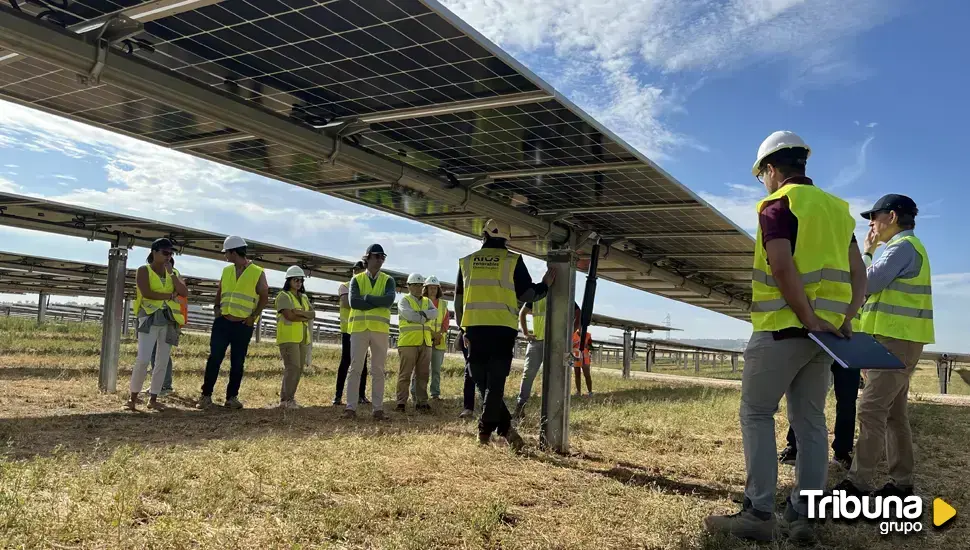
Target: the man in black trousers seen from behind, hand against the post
pixel 491 282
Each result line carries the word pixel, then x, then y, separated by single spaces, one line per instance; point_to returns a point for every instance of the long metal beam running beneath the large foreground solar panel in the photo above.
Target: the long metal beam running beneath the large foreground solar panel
pixel 28 36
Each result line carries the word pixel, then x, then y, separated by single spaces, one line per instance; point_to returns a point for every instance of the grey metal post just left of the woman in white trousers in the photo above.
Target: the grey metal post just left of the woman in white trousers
pixel 112 318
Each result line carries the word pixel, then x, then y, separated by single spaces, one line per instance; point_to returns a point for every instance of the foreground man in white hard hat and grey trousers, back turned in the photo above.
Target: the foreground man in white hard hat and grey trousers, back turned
pixel 808 276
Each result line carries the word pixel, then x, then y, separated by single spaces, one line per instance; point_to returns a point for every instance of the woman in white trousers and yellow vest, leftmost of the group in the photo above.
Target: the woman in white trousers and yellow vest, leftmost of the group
pixel 159 319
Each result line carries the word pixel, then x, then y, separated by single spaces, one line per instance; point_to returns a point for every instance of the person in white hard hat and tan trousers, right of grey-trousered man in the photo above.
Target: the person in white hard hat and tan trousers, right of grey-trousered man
pixel 416 316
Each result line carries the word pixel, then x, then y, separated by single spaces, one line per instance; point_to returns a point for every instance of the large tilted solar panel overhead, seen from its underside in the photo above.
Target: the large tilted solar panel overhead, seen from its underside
pixel 391 80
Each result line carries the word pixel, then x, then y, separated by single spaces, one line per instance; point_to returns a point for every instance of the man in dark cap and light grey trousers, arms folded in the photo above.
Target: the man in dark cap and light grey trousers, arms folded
pixel 372 293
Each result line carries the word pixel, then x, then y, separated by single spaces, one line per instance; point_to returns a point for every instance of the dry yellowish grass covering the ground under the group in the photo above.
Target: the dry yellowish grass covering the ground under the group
pixel 649 460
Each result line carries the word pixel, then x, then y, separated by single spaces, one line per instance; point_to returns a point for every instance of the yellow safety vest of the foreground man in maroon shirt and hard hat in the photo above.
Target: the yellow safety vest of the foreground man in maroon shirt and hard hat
pixel 821 256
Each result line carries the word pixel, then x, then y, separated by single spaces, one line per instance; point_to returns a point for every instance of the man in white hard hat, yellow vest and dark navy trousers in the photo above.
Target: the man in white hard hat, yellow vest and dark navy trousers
pixel 243 293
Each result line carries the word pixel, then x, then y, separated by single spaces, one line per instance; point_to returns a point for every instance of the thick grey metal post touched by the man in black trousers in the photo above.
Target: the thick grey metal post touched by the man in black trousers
pixel 557 353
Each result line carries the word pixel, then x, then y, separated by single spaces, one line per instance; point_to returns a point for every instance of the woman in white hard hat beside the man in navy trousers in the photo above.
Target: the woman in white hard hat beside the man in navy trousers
pixel 294 313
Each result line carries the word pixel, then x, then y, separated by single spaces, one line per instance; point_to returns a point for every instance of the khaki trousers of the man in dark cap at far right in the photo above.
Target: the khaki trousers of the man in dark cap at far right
pixel 884 420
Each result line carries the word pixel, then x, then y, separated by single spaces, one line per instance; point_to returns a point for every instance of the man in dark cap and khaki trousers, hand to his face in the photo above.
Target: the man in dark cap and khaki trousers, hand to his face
pixel 899 314
